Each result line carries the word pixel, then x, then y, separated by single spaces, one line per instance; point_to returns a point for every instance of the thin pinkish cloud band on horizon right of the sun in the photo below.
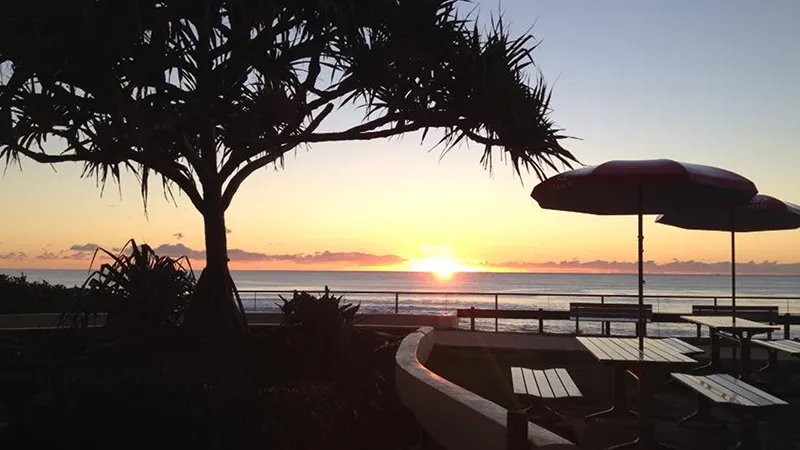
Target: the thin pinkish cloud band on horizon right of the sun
pixel 671 267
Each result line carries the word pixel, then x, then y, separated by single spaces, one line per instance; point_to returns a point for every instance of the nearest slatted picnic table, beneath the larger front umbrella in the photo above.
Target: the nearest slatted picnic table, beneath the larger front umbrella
pixel 647 366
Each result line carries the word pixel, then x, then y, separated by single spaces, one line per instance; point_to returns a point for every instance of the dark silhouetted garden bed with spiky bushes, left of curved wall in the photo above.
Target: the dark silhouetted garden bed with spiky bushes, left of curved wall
pixel 141 381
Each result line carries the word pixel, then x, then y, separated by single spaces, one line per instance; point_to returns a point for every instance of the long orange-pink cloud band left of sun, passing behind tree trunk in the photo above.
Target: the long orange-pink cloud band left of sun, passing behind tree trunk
pixel 326 257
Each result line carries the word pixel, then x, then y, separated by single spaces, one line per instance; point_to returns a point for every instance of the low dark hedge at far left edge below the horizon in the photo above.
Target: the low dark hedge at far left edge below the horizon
pixel 20 296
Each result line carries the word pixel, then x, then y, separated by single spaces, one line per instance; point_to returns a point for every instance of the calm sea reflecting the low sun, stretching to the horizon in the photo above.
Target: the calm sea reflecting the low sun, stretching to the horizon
pixel 518 291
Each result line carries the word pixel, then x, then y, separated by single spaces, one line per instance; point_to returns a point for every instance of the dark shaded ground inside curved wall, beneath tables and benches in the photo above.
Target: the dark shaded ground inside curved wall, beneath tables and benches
pixel 486 372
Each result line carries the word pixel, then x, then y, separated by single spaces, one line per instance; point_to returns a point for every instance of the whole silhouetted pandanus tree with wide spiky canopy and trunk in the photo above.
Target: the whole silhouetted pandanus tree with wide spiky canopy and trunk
pixel 202 93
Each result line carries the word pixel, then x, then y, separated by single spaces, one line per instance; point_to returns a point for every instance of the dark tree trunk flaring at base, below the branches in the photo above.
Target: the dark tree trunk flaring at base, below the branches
pixel 213 310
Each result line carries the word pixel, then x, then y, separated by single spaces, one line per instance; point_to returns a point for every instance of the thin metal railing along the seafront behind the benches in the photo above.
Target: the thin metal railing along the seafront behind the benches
pixel 493 305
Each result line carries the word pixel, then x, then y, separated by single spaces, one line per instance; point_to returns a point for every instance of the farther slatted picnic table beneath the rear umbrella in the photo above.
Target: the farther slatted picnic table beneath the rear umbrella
pixel 742 330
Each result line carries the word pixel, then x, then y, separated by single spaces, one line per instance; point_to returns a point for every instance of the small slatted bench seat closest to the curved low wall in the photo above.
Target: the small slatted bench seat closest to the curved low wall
pixel 548 384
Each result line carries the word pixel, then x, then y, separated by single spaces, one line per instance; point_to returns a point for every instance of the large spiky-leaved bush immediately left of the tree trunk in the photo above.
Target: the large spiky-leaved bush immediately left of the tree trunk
pixel 138 291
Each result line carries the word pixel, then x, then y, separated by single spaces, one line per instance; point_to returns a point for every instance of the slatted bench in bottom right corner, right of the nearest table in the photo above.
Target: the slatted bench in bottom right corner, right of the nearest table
pixel 723 389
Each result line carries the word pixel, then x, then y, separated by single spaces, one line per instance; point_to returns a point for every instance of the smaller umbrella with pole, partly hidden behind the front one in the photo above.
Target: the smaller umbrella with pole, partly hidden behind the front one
pixel 762 213
